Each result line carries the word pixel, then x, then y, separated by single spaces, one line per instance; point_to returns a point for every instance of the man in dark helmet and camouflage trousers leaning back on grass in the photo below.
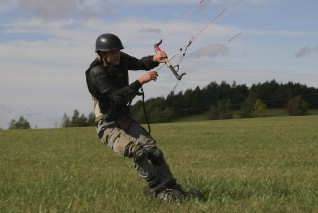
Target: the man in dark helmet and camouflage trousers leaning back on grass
pixel 107 81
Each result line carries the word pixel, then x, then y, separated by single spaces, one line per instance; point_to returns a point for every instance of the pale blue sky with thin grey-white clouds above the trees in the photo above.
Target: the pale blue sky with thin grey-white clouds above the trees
pixel 46 46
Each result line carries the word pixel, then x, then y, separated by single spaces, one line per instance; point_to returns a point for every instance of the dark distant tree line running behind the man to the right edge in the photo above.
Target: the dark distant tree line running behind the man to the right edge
pixel 218 101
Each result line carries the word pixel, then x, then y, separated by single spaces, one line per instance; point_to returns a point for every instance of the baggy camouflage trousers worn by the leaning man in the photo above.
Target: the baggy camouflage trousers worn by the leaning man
pixel 125 137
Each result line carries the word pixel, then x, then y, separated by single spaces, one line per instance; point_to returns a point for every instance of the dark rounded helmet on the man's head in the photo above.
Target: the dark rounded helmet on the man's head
pixel 107 42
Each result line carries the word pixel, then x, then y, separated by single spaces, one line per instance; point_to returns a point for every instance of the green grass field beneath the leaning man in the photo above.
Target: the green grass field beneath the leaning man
pixel 242 165
